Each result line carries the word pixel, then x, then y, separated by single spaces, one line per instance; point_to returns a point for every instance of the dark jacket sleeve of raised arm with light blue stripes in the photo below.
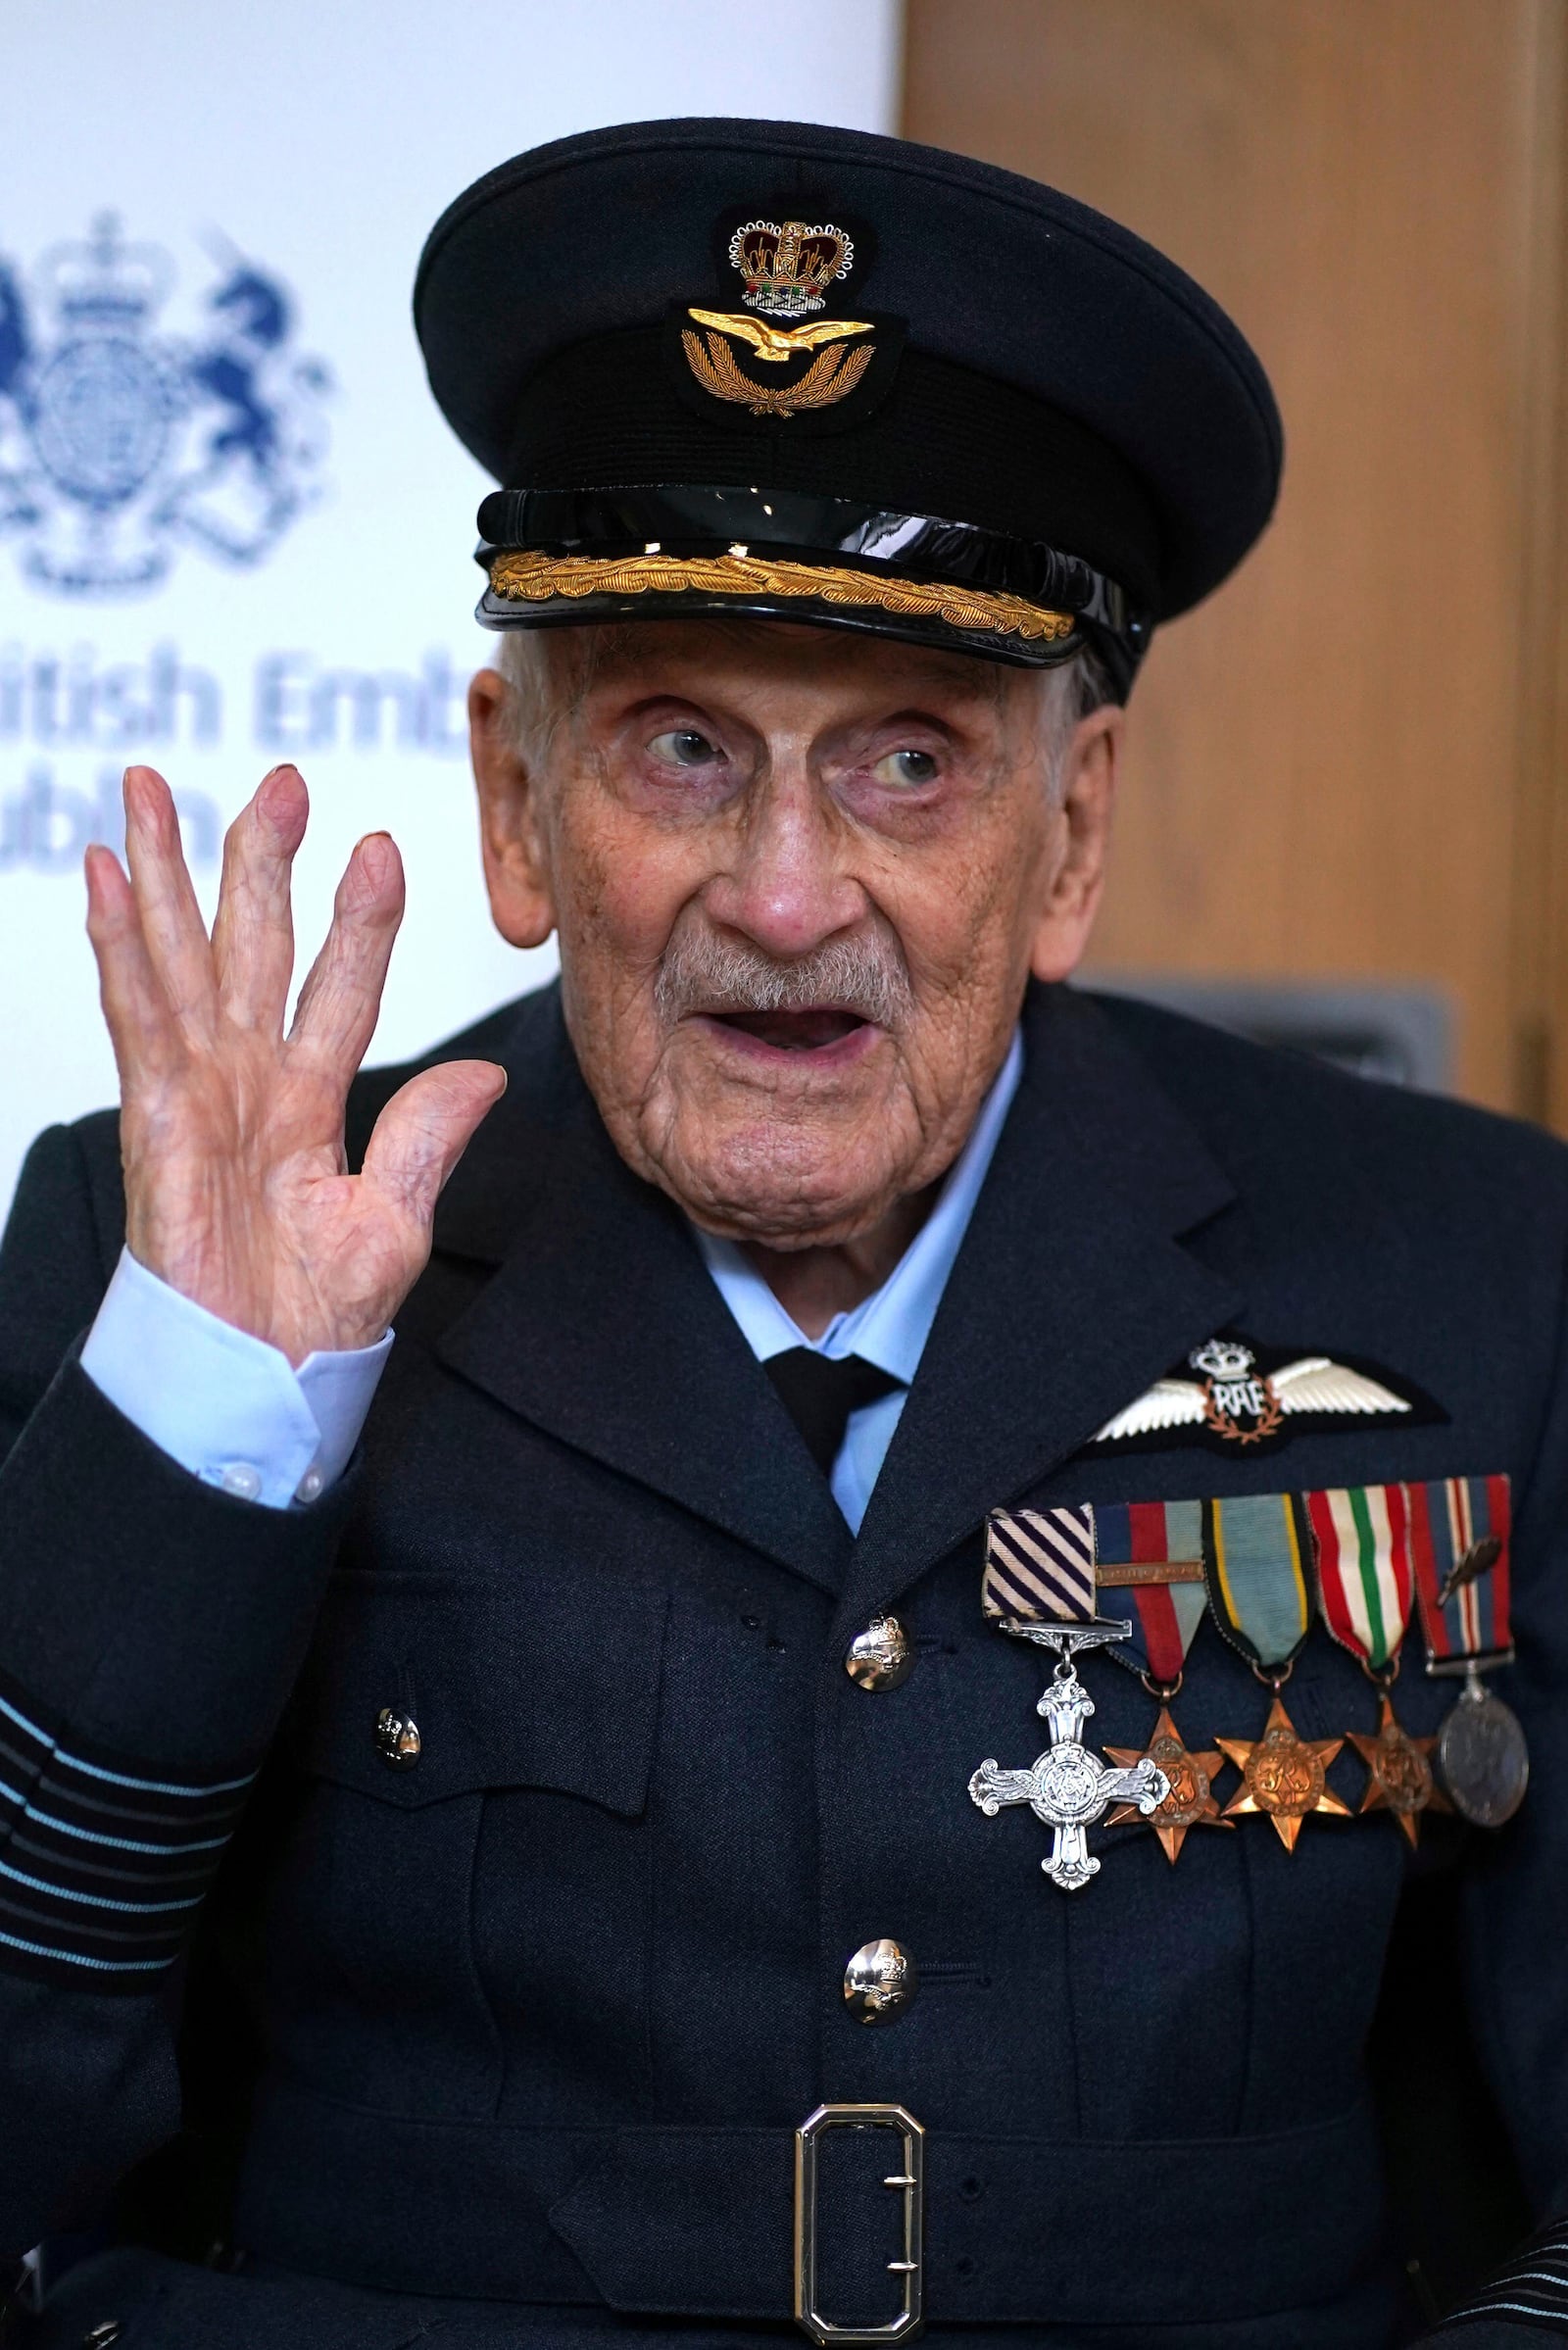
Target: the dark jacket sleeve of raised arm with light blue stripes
pixel 149 1634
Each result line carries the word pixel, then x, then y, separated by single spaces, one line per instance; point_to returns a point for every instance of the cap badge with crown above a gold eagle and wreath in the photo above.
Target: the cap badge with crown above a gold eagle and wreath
pixel 808 365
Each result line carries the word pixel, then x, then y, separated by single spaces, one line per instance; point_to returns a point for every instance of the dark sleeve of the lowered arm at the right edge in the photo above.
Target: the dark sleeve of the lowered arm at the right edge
pixel 1515 1916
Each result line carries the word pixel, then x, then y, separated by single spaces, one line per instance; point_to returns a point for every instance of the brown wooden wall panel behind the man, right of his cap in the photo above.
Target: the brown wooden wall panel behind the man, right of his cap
pixel 1351 763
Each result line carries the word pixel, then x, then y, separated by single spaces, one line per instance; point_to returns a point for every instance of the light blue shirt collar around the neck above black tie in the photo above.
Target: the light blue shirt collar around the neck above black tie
pixel 892 1327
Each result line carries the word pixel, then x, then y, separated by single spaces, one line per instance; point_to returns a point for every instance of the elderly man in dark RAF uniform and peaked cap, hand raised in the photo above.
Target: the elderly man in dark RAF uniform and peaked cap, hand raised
pixel 537 1829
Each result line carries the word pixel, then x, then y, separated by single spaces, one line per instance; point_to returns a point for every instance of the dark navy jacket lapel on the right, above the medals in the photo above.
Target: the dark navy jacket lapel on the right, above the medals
pixel 1068 1298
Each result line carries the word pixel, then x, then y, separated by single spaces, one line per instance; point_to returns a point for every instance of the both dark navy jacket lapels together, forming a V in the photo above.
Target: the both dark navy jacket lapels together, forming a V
pixel 1068 1298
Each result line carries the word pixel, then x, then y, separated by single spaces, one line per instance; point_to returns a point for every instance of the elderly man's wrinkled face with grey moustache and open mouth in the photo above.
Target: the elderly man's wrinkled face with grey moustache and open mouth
pixel 800 880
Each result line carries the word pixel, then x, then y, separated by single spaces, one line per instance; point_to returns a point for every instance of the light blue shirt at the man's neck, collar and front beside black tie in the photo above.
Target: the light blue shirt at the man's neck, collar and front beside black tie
pixel 892 1327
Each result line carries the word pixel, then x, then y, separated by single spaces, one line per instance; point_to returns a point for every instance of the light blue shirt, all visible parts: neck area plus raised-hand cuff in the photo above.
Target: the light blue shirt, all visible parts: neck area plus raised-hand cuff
pixel 236 1414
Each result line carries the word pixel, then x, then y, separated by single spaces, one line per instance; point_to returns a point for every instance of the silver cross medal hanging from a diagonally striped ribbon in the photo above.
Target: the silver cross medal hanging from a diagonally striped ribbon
pixel 1040 1585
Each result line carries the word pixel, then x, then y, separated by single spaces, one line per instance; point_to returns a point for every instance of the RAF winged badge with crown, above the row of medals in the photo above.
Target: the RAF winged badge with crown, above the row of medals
pixel 1254 1397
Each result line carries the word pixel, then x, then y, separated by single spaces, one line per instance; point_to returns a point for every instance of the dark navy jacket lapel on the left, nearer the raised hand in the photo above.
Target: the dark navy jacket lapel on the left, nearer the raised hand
pixel 605 1329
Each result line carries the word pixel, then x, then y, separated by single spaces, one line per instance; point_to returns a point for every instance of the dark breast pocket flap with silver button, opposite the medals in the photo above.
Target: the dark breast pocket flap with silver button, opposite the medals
pixel 509 1686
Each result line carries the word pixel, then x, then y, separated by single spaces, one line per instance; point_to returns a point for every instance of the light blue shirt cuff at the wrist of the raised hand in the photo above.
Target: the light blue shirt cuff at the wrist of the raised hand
pixel 225 1404
